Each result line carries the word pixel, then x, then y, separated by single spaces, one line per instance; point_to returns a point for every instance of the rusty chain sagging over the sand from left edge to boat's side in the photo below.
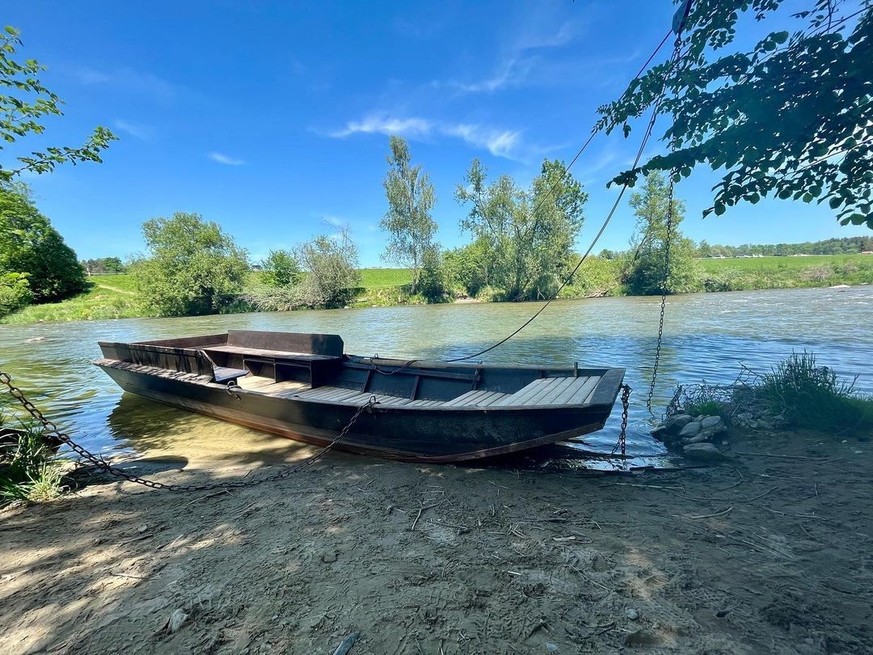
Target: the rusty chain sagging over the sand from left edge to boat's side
pixel 100 463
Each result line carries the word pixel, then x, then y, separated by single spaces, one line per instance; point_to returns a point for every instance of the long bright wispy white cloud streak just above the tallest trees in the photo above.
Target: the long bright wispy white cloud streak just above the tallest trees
pixel 501 143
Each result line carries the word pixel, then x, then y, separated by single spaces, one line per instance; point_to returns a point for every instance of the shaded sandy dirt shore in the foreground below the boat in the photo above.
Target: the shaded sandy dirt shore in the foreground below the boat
pixel 767 553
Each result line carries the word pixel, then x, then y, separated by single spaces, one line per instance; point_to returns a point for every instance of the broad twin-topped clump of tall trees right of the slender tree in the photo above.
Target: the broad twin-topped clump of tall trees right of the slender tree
pixel 526 235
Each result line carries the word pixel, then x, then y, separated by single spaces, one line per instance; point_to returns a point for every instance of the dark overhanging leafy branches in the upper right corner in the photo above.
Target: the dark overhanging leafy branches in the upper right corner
pixel 790 118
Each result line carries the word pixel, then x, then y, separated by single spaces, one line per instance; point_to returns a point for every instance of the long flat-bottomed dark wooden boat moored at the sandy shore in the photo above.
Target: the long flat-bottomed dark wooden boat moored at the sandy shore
pixel 304 387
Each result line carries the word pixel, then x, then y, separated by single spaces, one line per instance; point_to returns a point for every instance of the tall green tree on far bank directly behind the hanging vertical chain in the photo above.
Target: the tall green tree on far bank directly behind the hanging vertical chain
pixel 644 272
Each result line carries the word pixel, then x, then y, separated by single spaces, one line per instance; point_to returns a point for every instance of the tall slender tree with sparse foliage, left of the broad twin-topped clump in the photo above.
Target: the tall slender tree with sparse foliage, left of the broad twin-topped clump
pixel 408 220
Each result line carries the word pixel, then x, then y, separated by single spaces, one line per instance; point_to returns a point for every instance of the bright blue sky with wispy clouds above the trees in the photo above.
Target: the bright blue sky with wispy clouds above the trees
pixel 272 118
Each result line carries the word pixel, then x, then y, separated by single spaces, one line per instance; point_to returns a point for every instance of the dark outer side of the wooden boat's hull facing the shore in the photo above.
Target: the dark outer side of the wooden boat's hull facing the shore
pixel 413 434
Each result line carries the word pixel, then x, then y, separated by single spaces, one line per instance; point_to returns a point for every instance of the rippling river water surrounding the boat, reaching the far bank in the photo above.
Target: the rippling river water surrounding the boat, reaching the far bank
pixel 706 337
